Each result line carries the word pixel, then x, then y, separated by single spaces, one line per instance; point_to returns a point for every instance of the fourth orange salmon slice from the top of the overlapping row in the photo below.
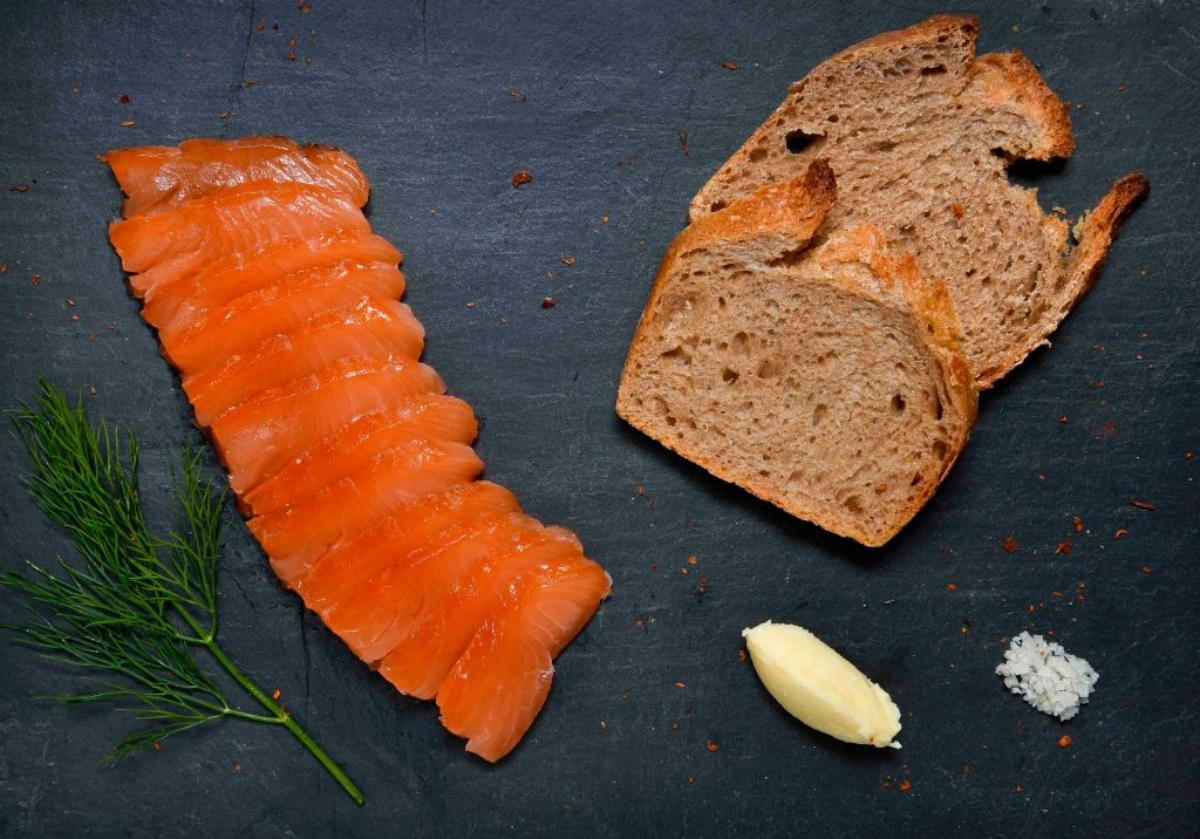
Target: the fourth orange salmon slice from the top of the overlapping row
pixel 280 308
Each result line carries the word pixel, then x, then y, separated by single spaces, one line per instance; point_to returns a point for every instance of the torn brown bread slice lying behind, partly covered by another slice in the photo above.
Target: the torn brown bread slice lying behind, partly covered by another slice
pixel 920 134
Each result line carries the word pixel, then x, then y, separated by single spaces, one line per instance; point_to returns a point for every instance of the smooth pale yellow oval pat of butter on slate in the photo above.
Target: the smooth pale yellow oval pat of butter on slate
pixel 820 688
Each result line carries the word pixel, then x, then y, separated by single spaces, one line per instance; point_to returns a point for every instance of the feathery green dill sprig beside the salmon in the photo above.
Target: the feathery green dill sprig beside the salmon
pixel 137 608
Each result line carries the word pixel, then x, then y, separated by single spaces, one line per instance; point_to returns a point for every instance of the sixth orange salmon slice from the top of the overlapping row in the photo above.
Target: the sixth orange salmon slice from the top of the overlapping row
pixel 259 438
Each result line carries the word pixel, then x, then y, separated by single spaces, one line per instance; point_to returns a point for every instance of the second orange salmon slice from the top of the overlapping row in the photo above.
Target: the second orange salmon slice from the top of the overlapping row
pixel 243 219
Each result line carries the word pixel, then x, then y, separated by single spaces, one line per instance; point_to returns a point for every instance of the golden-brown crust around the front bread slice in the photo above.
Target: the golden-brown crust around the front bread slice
pixel 765 213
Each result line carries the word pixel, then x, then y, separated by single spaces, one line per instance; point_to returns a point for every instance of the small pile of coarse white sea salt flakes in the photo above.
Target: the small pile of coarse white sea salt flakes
pixel 1051 679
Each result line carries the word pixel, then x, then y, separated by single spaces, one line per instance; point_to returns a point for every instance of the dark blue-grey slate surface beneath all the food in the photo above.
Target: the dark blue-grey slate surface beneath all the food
pixel 442 103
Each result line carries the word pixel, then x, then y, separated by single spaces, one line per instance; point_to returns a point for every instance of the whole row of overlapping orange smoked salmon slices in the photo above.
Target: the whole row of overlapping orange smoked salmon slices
pixel 281 311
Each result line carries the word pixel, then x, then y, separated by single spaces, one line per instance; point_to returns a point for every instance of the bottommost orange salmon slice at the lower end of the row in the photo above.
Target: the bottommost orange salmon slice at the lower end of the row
pixel 496 690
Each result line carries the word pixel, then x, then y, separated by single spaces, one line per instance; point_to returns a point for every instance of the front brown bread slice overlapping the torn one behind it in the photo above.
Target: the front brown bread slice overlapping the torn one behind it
pixel 818 371
